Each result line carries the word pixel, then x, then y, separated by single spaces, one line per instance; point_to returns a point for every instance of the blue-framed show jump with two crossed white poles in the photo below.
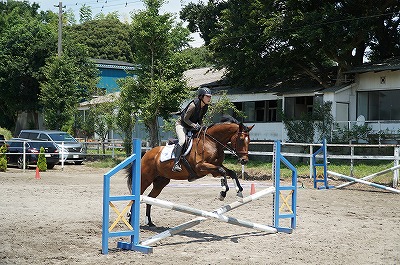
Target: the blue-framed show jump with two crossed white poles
pixel 135 199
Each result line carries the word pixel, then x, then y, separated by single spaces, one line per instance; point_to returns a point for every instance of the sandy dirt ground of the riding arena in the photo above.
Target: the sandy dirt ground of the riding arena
pixel 57 219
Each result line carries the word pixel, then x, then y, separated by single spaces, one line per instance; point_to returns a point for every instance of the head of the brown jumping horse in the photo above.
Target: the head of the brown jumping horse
pixel 240 143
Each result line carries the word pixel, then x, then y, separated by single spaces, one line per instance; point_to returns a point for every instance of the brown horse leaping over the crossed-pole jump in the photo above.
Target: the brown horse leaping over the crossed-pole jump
pixel 206 157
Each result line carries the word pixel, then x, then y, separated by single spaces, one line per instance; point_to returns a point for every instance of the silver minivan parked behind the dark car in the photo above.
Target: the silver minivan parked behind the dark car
pixel 73 150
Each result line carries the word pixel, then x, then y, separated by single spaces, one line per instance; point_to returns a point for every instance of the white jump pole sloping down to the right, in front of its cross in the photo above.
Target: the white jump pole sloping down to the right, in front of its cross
pixel 197 212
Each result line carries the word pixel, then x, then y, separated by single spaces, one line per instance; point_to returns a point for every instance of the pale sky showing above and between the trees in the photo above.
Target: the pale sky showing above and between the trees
pixel 124 7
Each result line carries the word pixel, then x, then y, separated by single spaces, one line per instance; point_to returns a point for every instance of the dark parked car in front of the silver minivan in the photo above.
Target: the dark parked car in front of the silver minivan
pixel 18 147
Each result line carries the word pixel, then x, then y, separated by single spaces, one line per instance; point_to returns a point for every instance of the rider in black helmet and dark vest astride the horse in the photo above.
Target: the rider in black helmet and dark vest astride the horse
pixel 191 119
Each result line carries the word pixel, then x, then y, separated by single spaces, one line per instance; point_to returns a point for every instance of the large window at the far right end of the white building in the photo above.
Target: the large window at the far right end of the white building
pixel 379 105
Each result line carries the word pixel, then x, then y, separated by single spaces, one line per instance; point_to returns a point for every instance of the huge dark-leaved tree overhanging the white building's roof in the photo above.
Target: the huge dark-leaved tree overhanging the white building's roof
pixel 258 39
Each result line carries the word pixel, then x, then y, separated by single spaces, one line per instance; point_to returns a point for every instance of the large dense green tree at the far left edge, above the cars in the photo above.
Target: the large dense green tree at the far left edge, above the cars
pixel 27 38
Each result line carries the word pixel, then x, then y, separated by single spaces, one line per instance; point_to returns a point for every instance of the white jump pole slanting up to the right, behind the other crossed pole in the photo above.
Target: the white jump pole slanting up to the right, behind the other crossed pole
pixel 179 228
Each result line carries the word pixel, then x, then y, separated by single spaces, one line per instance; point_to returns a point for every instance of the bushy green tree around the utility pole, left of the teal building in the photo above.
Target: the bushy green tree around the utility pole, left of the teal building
pixel 68 80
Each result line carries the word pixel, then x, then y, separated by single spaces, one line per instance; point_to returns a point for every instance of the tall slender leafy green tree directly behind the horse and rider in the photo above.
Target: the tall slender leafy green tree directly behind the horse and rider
pixel 159 87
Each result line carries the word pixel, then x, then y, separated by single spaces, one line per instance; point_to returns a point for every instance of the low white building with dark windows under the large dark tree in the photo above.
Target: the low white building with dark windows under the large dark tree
pixel 368 96
